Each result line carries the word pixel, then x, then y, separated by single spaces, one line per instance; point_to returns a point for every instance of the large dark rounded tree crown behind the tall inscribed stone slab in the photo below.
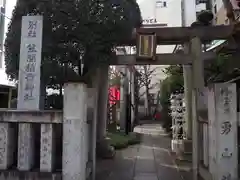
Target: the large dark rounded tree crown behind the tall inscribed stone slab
pixel 73 31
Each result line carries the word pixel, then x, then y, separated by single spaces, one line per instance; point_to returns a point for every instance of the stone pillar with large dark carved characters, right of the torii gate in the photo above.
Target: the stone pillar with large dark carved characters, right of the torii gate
pixel 223 163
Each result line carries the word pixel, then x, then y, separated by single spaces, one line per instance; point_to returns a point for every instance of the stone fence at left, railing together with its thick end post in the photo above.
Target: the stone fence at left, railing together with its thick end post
pixel 49 145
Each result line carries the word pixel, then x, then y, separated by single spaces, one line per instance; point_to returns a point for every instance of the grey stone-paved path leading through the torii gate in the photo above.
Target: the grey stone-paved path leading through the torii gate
pixel 151 160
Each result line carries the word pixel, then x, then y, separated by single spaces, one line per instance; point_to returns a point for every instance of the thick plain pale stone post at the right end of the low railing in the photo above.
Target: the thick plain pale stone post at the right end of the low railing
pixel 74 126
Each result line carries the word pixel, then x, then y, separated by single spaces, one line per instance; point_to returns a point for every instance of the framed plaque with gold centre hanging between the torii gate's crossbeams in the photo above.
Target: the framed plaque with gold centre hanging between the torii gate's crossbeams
pixel 146 46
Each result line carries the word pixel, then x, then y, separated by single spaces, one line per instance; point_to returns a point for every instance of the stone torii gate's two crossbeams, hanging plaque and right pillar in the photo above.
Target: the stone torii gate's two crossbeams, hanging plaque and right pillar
pixel 193 37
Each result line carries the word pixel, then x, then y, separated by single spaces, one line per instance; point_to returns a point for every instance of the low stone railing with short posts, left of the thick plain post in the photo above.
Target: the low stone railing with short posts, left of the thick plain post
pixel 31 145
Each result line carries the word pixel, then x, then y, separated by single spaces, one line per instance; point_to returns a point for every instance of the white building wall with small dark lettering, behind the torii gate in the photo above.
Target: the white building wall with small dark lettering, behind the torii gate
pixel 161 12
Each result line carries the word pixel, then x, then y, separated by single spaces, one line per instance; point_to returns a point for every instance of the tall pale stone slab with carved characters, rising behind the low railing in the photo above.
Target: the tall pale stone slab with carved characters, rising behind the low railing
pixel 30 62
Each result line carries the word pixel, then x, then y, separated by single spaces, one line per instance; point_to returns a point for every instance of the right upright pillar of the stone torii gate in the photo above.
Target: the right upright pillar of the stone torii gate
pixel 197 101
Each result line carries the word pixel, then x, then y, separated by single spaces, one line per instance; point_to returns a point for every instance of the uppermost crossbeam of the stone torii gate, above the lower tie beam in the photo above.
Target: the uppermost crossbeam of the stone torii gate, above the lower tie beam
pixel 180 35
